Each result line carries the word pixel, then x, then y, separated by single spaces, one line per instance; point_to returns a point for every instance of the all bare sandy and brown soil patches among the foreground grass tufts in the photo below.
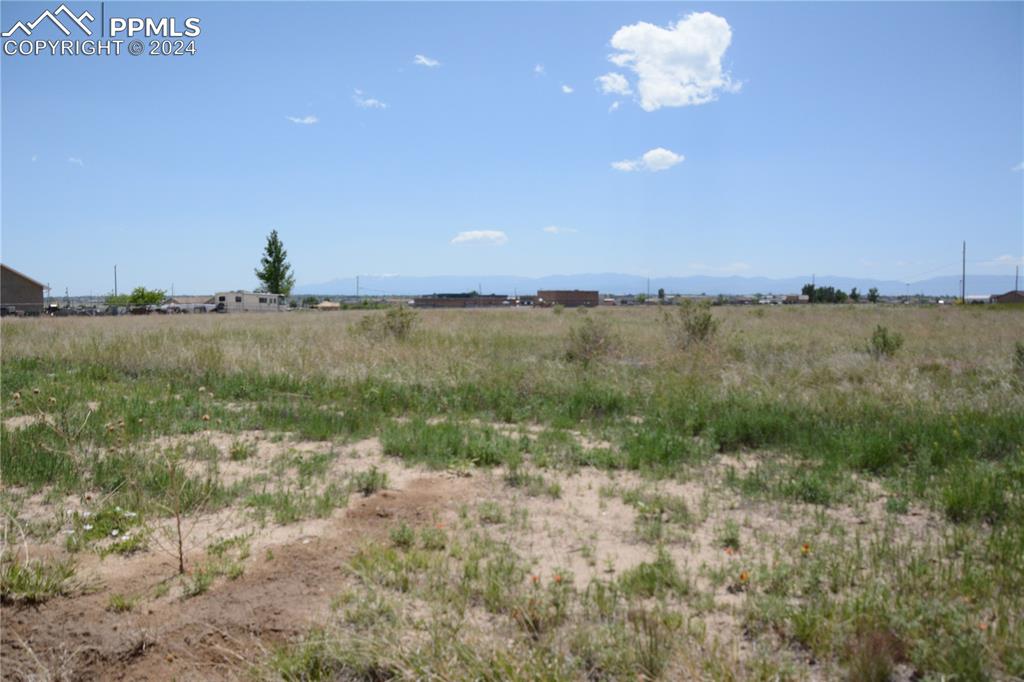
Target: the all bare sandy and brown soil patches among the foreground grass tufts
pixel 294 571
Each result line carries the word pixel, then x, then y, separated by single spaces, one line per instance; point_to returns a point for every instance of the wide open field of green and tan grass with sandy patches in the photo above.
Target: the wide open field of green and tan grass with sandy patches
pixel 516 495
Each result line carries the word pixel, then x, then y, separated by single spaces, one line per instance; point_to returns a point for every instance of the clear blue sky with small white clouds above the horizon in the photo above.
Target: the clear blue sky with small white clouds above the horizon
pixel 846 139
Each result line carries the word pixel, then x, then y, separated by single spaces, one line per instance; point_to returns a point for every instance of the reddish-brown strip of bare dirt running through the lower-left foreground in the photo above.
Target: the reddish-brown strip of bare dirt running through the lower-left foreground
pixel 214 635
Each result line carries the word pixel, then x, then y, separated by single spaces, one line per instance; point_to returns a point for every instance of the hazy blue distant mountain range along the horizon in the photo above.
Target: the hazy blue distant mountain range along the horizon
pixel 615 283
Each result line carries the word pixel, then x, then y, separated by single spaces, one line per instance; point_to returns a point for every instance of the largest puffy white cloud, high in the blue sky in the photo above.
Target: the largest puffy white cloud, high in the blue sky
pixel 678 66
